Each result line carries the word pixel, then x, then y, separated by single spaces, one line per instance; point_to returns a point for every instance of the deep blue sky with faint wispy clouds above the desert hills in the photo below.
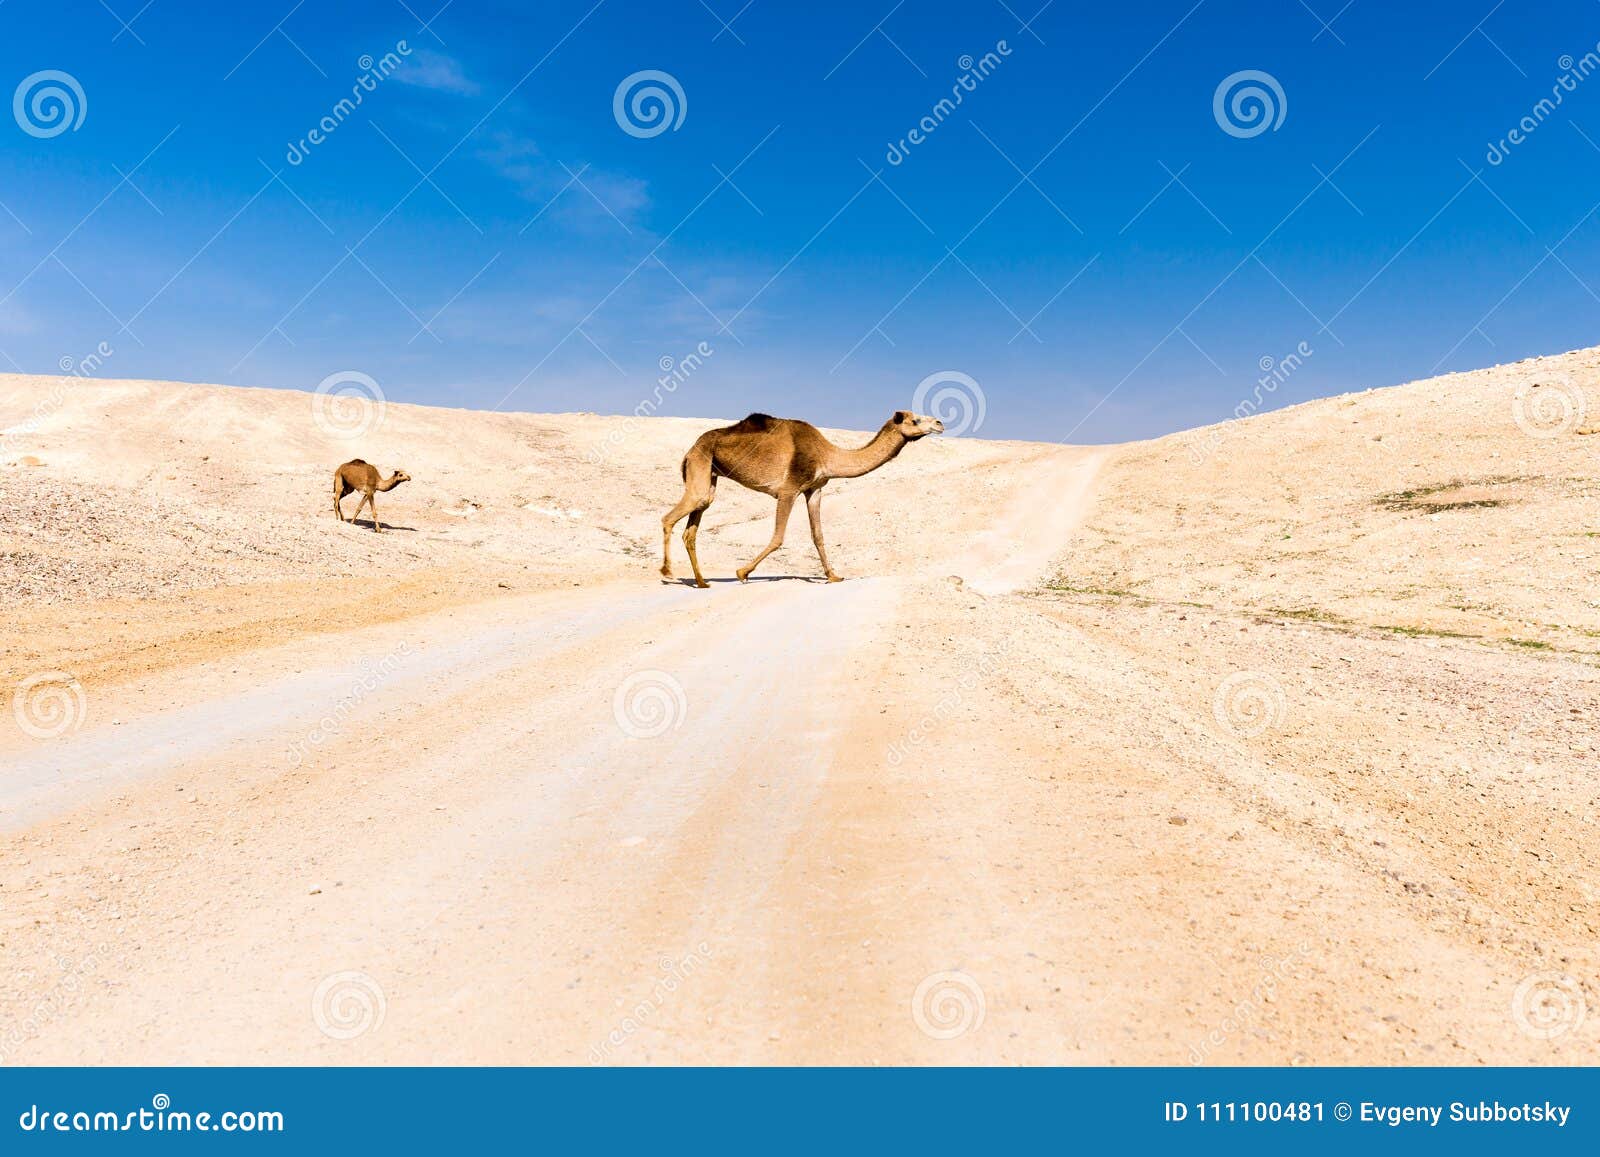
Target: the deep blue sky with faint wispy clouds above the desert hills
pixel 1081 236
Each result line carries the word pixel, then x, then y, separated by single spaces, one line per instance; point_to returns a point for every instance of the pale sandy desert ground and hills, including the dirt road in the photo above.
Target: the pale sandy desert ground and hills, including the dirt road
pixel 1158 780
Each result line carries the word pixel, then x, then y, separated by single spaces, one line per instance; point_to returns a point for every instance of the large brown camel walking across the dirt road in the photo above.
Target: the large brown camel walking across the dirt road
pixel 783 458
